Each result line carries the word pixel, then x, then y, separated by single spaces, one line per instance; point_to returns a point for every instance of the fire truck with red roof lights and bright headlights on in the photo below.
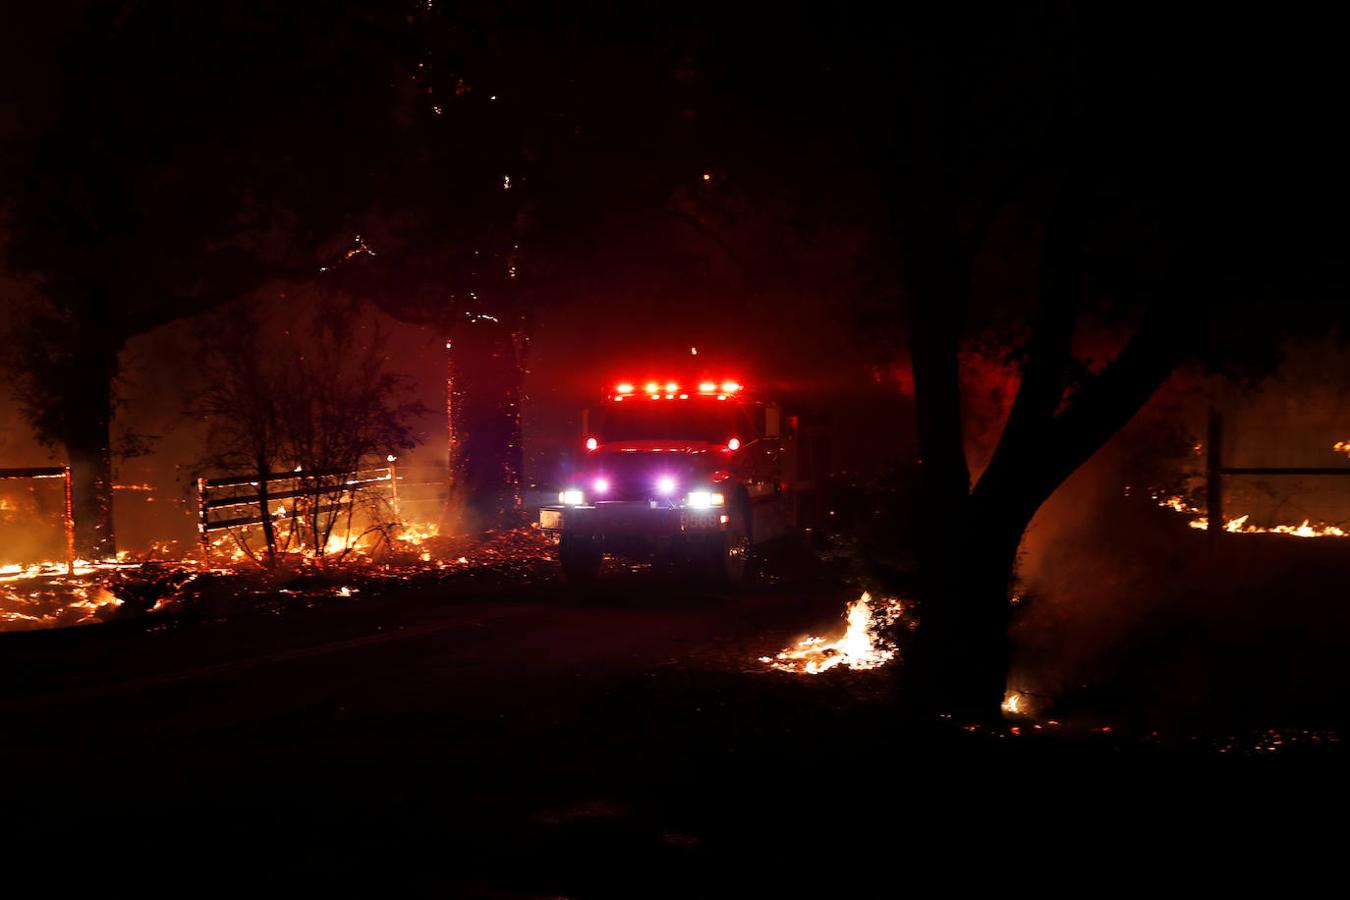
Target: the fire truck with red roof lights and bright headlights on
pixel 693 474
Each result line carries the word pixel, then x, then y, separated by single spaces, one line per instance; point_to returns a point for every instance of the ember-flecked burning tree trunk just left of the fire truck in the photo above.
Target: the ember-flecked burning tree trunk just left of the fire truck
pixel 484 397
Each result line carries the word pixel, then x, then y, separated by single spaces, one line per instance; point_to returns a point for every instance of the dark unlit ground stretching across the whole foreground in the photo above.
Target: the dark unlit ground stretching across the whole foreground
pixel 620 741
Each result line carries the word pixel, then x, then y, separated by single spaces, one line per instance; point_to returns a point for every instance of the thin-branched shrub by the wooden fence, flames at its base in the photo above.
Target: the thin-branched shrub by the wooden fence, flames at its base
pixel 308 397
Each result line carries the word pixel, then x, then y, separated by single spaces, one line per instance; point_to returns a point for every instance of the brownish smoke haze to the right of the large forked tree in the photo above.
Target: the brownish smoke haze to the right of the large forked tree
pixel 1127 609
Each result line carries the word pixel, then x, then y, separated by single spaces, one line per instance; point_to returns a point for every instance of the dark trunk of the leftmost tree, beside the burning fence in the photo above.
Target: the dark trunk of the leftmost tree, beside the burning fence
pixel 88 441
